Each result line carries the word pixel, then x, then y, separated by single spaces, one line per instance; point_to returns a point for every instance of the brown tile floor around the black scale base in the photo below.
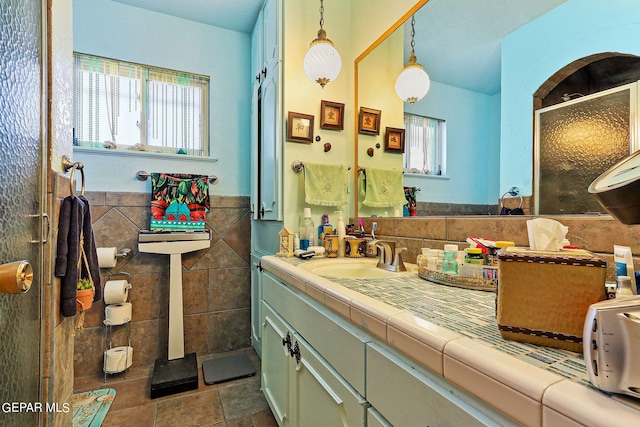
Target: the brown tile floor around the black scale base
pixel 237 403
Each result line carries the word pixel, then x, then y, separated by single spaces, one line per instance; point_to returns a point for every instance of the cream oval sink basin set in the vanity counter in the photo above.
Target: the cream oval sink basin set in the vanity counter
pixel 358 268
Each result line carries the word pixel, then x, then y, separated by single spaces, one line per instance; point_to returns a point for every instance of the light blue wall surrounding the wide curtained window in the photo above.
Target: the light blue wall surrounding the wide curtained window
pixel 116 30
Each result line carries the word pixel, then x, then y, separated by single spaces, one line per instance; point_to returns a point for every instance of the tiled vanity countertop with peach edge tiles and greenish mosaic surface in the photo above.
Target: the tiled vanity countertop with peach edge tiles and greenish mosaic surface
pixel 453 332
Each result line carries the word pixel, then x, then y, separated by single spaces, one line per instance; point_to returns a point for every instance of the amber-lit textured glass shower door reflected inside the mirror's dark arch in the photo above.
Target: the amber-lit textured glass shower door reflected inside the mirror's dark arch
pixel 576 141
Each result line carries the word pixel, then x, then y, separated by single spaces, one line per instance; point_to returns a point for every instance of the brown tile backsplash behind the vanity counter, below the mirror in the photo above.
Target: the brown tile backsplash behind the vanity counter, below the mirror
pixel 597 234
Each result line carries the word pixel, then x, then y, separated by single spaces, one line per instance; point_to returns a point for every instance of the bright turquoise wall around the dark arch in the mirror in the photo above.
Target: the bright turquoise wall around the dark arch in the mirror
pixel 588 27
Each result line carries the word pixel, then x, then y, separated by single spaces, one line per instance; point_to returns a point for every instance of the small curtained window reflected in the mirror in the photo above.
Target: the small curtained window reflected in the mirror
pixel 424 145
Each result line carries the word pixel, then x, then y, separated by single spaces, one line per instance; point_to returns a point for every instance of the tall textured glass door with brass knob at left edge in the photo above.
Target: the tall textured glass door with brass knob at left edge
pixel 21 207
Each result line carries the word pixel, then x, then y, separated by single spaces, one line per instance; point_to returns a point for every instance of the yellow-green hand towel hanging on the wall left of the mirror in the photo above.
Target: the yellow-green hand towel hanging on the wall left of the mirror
pixel 325 185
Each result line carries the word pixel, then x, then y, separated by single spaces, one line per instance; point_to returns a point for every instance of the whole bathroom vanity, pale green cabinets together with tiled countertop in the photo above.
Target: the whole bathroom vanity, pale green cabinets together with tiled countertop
pixel 402 351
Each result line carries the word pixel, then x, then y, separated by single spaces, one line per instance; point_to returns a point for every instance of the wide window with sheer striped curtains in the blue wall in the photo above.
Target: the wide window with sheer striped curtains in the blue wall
pixel 125 106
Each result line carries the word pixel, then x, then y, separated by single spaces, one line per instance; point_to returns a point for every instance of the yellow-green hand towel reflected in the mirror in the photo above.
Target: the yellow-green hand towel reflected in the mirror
pixel 384 188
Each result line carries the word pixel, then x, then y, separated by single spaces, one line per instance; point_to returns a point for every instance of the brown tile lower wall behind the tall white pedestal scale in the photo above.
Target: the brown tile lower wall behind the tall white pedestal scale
pixel 216 283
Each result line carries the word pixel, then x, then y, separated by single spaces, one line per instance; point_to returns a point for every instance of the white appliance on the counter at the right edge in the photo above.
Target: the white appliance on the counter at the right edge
pixel 611 345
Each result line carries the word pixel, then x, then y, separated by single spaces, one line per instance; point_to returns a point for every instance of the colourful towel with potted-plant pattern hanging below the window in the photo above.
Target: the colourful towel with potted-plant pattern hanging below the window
pixel 179 201
